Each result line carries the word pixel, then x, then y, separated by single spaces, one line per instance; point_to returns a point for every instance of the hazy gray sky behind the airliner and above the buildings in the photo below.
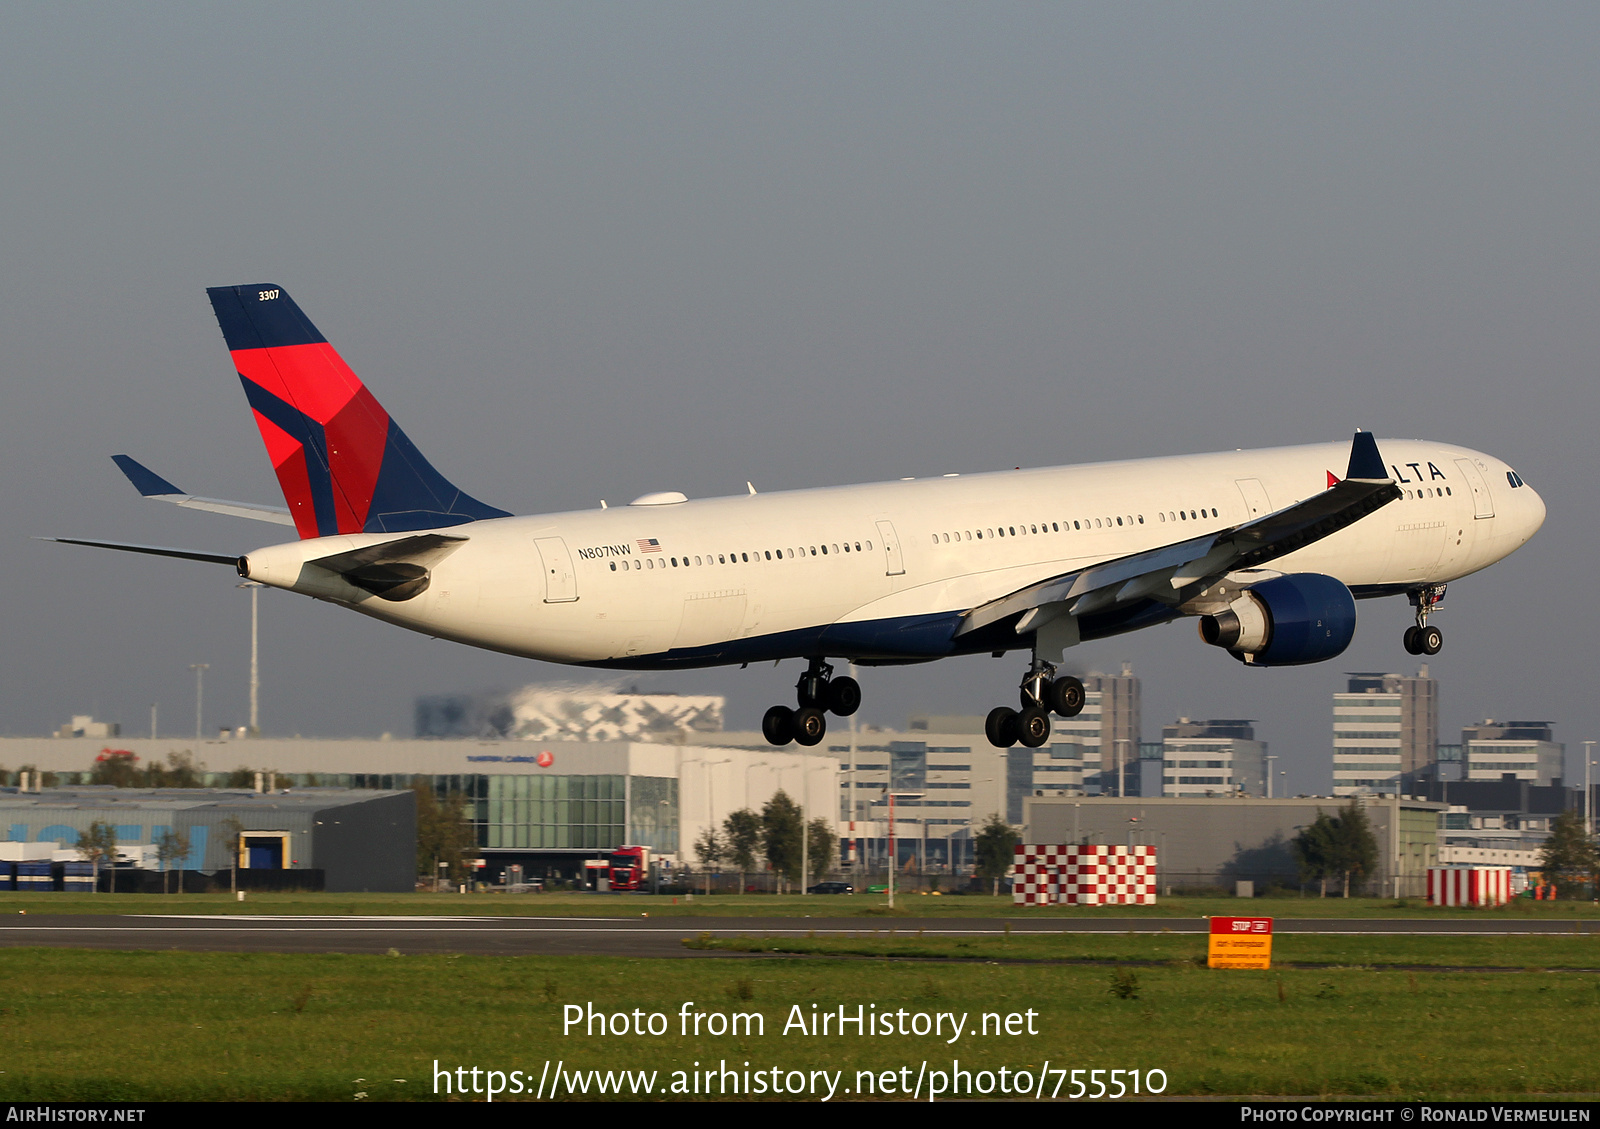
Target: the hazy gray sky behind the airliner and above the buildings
pixel 590 252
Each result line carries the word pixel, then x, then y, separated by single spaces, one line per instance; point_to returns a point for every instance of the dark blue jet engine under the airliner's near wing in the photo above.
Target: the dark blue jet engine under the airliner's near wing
pixel 1286 621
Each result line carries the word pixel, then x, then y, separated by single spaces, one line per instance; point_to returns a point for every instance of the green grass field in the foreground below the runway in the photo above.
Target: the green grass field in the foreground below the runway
pixel 143 1027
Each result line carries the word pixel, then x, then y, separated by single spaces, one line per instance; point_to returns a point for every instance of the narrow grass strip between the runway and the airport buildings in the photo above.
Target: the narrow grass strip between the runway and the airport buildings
pixel 764 906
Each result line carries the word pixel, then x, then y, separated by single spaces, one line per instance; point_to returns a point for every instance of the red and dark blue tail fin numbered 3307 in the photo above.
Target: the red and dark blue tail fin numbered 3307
pixel 343 463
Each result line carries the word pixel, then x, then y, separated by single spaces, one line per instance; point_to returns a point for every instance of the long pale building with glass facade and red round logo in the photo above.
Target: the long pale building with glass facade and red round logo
pixel 540 805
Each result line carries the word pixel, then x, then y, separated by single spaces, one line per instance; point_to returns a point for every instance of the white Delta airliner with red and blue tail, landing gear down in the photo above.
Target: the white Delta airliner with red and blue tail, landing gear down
pixel 1270 551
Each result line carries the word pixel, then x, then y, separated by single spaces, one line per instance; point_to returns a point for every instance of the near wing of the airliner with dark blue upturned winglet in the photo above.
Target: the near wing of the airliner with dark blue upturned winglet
pixel 1178 572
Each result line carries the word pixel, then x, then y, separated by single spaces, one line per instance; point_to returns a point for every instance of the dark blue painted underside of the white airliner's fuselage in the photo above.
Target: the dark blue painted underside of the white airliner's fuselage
pixel 884 642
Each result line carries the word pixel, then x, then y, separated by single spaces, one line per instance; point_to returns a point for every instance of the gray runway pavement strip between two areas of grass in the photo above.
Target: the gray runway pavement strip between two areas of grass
pixel 625 936
